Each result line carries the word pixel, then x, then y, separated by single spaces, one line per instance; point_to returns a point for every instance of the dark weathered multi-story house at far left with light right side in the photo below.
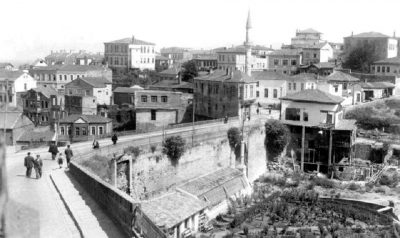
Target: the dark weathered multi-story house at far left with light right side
pixel 44 106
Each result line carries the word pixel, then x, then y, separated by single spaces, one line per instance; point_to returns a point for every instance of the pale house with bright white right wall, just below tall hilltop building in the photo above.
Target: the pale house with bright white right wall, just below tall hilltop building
pixel 317 53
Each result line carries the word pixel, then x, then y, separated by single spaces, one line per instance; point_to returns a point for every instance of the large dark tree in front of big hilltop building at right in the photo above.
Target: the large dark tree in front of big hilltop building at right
pixel 360 58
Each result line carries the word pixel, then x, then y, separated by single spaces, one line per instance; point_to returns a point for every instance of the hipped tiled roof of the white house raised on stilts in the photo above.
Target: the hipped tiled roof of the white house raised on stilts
pixel 314 96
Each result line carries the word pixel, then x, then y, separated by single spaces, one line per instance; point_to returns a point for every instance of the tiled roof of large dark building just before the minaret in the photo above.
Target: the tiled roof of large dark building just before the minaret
pixel 221 75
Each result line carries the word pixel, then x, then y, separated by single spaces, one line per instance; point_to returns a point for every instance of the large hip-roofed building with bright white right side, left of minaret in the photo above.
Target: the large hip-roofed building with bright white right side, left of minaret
pixel 130 53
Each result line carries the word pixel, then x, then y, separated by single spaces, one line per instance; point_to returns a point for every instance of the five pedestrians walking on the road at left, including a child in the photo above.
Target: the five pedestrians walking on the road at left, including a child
pixel 37 163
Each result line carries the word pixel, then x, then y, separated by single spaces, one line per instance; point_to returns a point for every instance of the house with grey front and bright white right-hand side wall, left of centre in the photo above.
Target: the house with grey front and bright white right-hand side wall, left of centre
pixel 98 87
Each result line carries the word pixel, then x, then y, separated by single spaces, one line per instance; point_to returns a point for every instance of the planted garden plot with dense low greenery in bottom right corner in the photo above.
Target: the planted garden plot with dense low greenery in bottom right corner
pixel 301 212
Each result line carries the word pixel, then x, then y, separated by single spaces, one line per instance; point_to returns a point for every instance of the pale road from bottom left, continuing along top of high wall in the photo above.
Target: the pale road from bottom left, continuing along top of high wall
pixel 35 208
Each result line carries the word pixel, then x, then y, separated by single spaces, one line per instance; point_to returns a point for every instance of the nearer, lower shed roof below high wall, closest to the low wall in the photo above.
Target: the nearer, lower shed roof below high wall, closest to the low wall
pixel 172 208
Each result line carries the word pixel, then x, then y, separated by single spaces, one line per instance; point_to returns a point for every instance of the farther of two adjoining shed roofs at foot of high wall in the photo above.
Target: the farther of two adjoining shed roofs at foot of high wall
pixel 217 186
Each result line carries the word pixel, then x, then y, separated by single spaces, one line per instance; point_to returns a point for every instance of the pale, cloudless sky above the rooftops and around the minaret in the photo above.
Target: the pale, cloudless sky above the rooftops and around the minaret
pixel 31 29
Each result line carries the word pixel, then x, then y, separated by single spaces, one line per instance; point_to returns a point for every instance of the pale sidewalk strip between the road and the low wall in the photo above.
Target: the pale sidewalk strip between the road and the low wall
pixel 87 215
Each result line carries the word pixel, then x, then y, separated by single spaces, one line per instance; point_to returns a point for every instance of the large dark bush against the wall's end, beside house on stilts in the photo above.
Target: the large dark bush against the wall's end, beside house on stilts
pixel 277 136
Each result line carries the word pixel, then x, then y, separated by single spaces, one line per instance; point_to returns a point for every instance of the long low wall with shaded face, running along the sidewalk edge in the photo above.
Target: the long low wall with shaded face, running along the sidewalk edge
pixel 122 209
